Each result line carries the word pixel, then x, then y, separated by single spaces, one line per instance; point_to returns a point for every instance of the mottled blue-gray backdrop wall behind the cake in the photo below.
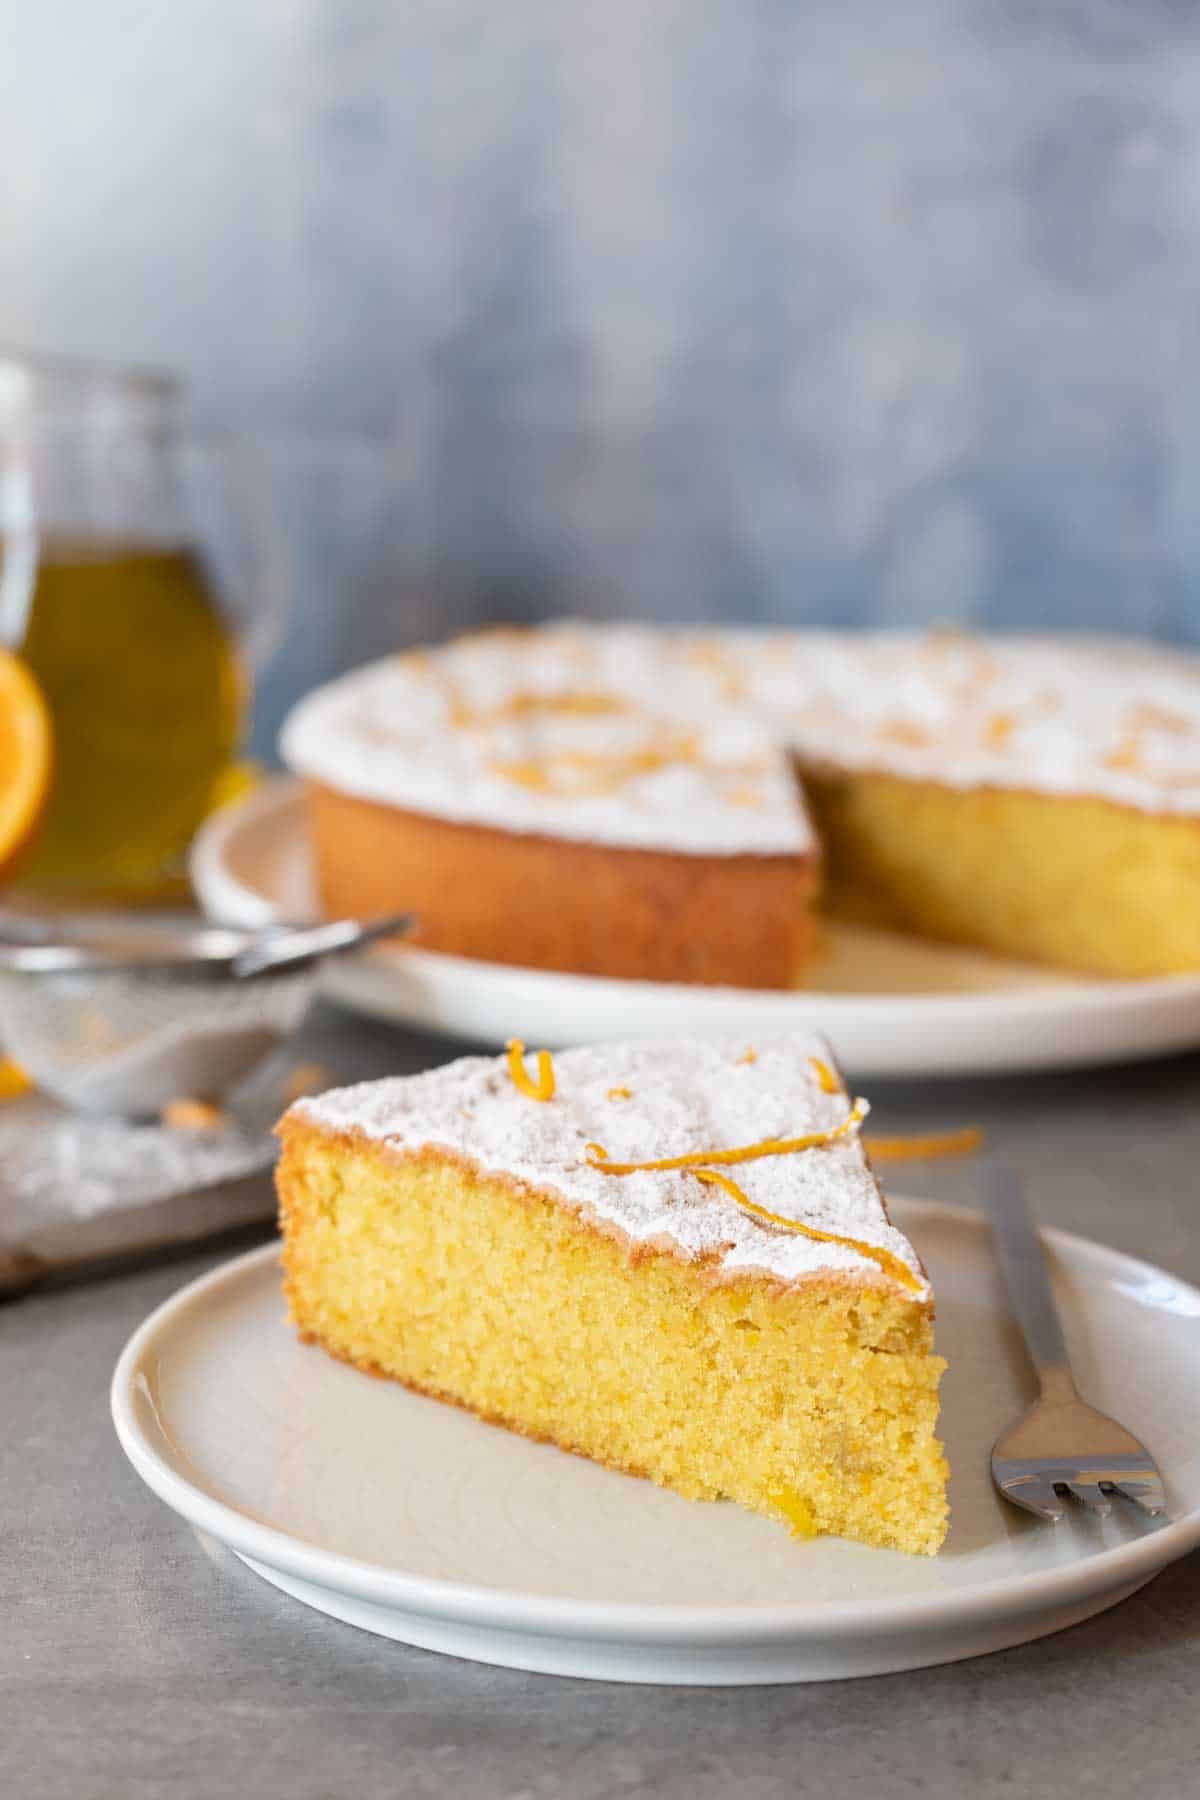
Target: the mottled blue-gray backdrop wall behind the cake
pixel 699 309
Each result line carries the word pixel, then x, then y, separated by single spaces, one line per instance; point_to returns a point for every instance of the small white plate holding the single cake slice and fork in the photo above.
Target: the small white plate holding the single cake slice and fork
pixel 422 1524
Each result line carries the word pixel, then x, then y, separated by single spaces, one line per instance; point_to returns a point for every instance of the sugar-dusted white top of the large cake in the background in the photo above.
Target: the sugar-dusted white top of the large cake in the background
pixel 679 741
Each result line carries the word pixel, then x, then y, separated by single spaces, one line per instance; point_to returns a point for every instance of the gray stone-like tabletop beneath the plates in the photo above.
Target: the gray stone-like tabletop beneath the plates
pixel 138 1660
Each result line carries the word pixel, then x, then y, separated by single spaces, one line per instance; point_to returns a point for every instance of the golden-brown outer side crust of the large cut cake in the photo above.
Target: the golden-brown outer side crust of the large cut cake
pixel 542 903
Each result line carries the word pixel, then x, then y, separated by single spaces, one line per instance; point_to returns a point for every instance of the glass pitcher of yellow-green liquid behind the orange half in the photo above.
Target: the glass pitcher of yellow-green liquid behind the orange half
pixel 141 580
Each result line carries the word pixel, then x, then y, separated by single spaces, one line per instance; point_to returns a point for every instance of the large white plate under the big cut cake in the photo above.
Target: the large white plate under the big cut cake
pixel 890 1005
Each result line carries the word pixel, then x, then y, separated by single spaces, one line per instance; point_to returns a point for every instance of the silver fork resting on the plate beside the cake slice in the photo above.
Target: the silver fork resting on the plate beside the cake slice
pixel 1062 1446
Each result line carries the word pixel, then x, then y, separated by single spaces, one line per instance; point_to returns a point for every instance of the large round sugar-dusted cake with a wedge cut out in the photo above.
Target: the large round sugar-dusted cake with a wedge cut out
pixel 683 805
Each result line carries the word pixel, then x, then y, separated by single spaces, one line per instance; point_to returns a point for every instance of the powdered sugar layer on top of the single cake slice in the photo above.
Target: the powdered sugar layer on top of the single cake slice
pixel 686 1095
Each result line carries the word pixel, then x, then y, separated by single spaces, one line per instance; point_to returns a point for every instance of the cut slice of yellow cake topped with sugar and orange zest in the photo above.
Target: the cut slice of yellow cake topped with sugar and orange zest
pixel 670 1257
